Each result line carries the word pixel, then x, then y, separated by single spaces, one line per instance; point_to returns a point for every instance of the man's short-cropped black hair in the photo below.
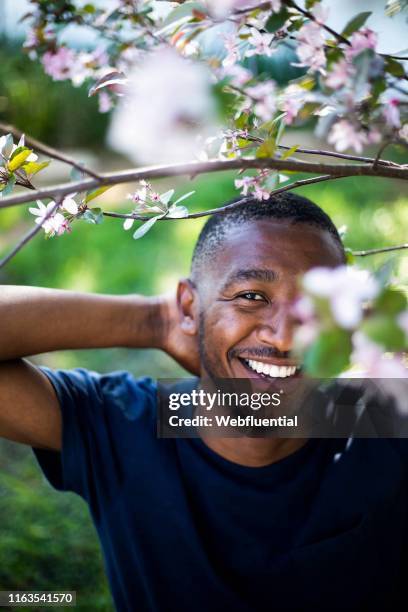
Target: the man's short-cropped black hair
pixel 285 206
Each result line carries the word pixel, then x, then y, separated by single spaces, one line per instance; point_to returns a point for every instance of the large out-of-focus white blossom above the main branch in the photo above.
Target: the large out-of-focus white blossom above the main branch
pixel 168 111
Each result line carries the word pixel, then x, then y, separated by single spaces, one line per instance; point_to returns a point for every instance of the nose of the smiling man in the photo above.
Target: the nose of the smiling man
pixel 277 329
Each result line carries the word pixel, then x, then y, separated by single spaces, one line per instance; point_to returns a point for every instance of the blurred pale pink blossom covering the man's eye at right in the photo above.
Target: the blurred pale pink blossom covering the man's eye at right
pixel 346 289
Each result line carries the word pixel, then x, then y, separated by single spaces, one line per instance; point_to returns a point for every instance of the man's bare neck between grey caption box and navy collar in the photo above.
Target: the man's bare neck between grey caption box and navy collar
pixel 253 452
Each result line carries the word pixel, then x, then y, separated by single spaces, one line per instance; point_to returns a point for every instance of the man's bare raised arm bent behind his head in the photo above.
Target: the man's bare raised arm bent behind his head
pixel 35 321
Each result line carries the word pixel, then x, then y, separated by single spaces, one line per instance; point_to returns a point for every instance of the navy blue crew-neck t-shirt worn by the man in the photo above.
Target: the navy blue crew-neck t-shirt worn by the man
pixel 184 530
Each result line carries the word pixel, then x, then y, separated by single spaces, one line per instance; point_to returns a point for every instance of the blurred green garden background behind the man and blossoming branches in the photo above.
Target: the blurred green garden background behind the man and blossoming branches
pixel 46 538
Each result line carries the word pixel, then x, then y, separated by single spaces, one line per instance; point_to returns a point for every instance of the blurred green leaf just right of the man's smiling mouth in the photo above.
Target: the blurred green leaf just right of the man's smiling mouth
pixel 329 354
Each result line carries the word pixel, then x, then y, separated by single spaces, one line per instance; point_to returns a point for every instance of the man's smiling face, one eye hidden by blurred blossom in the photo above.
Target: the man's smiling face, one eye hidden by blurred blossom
pixel 246 297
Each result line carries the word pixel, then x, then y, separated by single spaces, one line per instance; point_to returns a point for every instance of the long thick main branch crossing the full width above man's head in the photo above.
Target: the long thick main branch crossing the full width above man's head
pixel 215 165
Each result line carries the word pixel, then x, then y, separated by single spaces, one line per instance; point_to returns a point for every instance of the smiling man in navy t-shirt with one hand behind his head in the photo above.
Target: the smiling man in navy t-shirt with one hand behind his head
pixel 211 523
